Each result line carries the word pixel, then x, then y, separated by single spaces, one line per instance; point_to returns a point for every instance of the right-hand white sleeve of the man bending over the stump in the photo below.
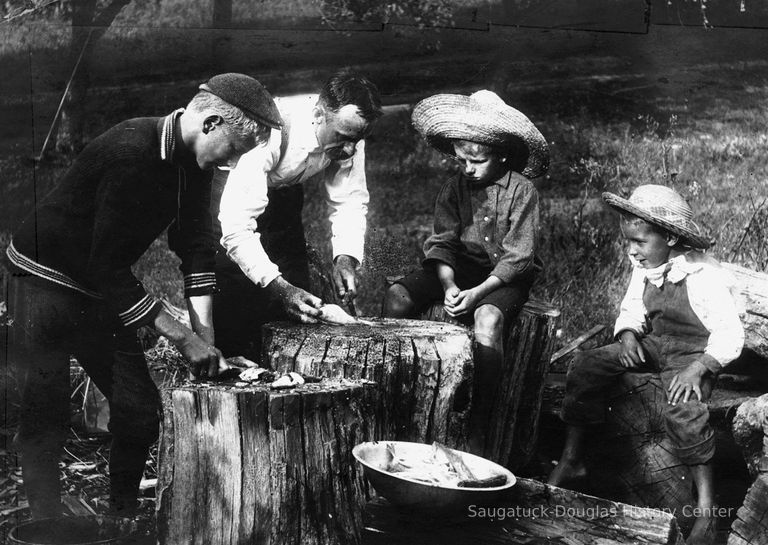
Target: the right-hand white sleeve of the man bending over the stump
pixel 347 195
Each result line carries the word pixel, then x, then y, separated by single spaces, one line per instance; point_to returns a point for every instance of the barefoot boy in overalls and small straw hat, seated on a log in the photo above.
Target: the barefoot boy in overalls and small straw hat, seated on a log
pixel 678 318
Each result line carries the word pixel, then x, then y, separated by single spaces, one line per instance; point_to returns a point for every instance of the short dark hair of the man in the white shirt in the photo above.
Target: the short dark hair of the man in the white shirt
pixel 349 87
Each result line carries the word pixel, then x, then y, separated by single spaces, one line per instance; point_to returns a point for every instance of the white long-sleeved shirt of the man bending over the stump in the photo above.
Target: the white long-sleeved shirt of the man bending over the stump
pixel 245 195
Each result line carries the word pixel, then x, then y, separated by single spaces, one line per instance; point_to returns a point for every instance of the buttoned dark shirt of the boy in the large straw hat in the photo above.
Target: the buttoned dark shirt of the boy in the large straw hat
pixel 494 227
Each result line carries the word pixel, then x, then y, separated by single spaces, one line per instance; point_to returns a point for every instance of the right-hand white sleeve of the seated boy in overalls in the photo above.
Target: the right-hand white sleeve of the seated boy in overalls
pixel 711 300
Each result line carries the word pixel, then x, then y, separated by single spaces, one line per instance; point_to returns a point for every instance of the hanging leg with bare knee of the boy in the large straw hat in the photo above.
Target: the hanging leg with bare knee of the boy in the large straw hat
pixel 489 328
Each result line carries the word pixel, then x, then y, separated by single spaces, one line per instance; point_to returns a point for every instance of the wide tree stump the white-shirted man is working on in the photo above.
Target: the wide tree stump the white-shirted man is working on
pixel 423 370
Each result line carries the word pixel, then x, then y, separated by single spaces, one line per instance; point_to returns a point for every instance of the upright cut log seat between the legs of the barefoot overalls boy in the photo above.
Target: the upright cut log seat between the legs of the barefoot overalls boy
pixel 638 468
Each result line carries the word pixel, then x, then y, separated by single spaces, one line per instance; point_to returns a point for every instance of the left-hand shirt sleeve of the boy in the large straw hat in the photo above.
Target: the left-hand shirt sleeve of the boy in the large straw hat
pixel 445 242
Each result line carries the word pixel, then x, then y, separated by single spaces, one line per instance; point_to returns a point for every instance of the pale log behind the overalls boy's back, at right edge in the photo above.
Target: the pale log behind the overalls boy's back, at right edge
pixel 753 288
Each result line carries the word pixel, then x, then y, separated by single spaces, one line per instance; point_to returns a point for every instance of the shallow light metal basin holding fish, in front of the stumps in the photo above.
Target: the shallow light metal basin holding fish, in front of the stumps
pixel 433 498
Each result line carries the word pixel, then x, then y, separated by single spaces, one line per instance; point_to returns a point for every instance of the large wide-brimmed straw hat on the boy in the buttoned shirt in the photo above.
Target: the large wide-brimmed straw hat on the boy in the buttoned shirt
pixel 484 118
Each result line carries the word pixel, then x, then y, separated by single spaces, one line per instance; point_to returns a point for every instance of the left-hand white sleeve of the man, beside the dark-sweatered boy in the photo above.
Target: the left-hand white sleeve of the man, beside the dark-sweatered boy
pixel 243 200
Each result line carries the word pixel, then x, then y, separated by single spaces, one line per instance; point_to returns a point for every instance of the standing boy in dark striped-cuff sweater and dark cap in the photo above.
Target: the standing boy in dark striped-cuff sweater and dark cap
pixel 71 290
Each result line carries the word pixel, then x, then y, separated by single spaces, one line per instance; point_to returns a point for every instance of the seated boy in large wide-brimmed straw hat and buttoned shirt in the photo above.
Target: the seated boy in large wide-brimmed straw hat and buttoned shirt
pixel 481 258
